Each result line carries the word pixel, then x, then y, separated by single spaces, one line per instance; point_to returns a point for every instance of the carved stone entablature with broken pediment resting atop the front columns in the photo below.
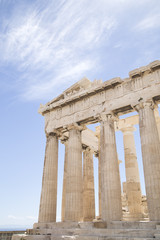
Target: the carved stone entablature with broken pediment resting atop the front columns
pixel 87 101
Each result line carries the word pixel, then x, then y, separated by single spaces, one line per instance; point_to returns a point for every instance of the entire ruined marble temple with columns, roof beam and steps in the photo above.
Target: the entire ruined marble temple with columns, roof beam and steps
pixel 66 120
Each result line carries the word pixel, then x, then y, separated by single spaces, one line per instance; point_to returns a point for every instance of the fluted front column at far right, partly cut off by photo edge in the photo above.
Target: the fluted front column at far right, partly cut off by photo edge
pixel 150 145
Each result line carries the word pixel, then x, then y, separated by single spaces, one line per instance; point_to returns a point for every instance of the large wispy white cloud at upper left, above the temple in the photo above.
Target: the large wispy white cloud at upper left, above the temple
pixel 54 45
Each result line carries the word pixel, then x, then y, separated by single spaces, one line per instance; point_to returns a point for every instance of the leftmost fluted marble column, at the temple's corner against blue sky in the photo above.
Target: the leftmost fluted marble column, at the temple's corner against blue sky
pixel 48 202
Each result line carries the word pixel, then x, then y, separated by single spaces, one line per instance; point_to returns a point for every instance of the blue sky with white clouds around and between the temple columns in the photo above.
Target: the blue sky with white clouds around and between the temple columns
pixel 46 46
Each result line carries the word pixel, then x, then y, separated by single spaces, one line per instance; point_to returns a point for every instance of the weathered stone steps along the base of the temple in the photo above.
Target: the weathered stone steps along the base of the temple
pixel 116 230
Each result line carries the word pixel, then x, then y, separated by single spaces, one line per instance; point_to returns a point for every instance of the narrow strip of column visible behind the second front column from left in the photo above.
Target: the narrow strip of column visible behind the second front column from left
pixel 64 180
